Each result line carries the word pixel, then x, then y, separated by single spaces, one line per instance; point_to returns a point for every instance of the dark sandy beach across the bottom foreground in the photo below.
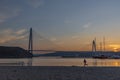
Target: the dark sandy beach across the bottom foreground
pixel 59 73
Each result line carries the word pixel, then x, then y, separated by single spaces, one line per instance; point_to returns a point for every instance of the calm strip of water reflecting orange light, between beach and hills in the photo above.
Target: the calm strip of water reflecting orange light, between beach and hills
pixel 57 61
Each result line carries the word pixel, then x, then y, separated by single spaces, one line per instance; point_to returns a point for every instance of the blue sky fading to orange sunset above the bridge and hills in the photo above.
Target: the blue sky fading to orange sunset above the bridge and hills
pixel 70 24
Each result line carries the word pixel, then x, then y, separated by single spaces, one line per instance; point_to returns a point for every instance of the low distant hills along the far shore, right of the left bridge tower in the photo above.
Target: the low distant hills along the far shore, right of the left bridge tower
pixel 81 54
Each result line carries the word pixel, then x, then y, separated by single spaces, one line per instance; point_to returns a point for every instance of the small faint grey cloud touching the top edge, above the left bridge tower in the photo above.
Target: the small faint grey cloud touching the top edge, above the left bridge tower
pixel 35 3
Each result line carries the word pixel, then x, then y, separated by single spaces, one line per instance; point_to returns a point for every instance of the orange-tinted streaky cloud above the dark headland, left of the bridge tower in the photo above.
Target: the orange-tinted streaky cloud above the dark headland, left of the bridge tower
pixel 10 35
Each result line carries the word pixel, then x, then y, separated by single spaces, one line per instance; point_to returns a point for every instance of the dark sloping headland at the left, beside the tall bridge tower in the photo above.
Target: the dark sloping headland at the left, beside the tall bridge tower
pixel 14 52
